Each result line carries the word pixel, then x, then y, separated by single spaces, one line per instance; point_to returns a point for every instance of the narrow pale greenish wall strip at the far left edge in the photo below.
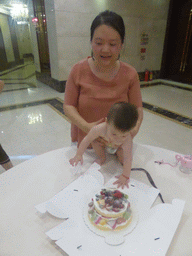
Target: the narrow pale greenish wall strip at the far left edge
pixel 7 37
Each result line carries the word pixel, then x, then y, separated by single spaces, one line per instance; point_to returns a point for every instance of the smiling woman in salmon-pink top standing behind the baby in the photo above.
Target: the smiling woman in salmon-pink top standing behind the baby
pixel 99 81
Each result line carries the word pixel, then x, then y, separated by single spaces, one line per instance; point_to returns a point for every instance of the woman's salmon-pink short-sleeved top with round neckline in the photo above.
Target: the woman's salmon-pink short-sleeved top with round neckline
pixel 93 97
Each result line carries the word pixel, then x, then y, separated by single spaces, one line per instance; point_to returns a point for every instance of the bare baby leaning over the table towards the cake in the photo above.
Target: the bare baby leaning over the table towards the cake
pixel 121 118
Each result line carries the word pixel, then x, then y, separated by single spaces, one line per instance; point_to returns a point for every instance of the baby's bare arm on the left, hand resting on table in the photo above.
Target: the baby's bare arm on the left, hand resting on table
pixel 91 136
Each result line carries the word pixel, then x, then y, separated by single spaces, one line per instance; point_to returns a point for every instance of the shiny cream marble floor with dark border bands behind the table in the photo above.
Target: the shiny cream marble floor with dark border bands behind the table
pixel 32 121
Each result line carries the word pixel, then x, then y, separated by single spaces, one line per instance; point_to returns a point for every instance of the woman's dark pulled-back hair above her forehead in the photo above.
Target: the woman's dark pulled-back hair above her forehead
pixel 111 19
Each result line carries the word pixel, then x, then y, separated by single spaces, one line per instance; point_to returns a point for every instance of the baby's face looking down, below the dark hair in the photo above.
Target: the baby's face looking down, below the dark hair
pixel 114 135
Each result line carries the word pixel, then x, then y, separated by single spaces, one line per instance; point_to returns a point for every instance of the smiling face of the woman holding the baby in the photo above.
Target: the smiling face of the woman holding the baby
pixel 106 45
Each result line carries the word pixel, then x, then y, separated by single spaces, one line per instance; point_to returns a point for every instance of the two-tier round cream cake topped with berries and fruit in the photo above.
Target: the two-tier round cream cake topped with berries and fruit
pixel 110 210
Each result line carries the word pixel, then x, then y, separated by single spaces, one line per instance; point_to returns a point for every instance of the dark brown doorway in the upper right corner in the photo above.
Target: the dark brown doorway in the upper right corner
pixel 177 55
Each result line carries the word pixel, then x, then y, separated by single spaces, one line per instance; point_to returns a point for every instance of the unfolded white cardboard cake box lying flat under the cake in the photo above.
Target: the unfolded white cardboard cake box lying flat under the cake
pixel 152 235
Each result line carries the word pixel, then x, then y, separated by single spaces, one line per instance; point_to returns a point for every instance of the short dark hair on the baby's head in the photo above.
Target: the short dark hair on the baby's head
pixel 123 116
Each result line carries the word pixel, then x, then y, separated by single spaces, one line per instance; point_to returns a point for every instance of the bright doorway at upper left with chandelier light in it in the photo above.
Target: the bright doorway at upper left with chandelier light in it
pixel 16 57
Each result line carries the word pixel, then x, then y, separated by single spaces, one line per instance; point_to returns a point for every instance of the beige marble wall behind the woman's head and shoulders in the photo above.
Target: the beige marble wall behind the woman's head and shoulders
pixel 69 31
